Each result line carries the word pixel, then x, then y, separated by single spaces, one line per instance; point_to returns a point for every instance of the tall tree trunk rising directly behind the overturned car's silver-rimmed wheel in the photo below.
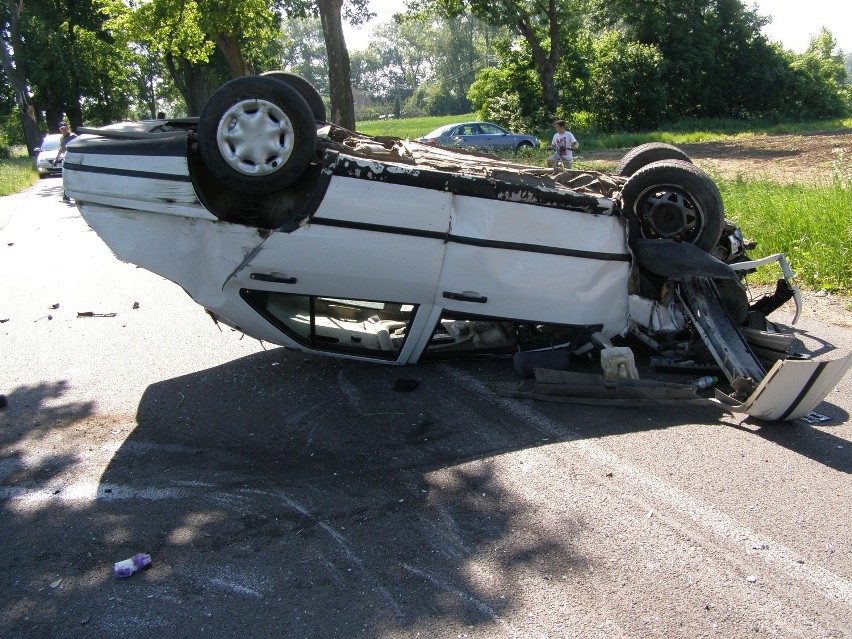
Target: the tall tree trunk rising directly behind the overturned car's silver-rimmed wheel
pixel 339 70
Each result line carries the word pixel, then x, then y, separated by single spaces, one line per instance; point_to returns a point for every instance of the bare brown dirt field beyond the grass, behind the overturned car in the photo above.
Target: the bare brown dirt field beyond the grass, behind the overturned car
pixel 802 158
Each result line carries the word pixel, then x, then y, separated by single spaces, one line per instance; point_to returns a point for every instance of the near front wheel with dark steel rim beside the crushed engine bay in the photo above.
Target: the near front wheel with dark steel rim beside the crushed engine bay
pixel 675 200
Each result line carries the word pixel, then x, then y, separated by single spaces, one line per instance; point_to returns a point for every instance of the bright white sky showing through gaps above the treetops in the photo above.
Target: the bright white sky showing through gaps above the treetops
pixel 794 22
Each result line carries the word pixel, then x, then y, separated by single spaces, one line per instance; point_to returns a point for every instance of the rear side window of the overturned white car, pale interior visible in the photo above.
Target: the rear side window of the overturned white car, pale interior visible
pixel 376 329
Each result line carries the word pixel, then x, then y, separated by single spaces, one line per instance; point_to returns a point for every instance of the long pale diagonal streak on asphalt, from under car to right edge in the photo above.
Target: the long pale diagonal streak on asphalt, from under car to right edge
pixel 780 557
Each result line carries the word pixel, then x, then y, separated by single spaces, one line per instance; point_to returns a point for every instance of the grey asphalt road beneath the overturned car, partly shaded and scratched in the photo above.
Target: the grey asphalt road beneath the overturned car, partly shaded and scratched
pixel 283 495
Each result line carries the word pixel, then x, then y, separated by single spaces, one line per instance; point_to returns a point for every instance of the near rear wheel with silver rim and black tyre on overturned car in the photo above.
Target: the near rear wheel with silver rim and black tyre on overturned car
pixel 256 135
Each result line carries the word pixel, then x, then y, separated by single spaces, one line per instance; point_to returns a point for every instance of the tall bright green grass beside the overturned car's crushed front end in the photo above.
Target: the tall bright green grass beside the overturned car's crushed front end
pixel 810 223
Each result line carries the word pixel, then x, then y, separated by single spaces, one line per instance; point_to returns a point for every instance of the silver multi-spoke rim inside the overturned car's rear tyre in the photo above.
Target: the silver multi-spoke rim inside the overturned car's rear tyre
pixel 255 137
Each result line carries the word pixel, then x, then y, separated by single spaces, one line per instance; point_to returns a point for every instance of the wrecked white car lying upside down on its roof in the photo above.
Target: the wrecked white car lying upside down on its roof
pixel 307 235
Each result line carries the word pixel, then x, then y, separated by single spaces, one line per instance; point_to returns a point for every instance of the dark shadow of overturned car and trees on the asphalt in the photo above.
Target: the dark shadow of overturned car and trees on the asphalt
pixel 307 496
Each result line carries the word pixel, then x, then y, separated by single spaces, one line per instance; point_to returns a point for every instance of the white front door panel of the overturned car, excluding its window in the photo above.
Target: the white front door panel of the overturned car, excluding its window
pixel 520 261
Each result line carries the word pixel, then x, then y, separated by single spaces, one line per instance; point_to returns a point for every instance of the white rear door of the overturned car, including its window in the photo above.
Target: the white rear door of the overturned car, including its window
pixel 357 278
